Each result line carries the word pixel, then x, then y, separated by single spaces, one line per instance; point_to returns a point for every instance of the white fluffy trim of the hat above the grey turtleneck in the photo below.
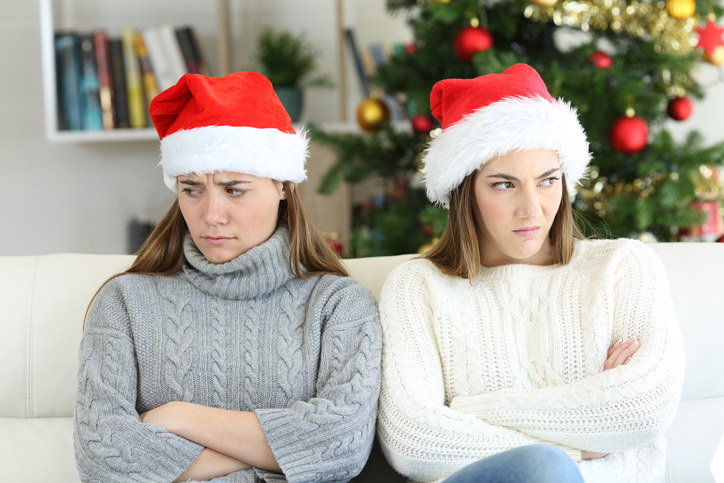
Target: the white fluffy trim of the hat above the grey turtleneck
pixel 269 153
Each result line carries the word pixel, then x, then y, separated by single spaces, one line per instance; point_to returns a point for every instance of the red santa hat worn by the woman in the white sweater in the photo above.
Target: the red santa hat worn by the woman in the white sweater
pixel 492 115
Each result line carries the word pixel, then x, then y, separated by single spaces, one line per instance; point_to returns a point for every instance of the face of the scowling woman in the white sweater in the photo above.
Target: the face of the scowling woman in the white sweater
pixel 517 196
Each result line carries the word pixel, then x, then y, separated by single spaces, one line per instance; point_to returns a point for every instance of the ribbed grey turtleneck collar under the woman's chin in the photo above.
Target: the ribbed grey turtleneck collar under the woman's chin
pixel 253 273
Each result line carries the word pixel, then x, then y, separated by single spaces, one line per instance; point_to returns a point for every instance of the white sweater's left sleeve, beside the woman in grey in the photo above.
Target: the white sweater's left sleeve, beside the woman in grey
pixel 421 437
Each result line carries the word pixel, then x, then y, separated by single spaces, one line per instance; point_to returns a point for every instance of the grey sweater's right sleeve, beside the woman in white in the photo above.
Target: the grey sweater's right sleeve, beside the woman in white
pixel 329 437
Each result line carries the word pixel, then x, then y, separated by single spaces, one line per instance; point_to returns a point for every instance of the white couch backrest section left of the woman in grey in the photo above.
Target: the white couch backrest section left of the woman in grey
pixel 42 303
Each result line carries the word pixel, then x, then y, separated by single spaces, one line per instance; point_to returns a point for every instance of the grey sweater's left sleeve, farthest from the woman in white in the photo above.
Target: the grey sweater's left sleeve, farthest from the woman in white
pixel 111 442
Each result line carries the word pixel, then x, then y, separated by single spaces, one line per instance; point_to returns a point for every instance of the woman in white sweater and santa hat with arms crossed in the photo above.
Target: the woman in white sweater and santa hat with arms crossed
pixel 513 330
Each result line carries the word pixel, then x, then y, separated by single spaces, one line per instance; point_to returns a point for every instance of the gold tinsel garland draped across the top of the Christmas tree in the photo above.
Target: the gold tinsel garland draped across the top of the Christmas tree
pixel 646 20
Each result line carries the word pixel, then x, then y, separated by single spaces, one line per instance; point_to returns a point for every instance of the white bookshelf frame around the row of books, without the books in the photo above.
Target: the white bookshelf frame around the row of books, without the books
pixel 87 15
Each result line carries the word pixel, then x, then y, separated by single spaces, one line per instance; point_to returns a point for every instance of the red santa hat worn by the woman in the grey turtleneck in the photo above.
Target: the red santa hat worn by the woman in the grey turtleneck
pixel 232 123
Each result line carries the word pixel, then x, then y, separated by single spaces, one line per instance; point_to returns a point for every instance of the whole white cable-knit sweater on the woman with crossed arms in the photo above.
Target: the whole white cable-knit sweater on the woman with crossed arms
pixel 517 357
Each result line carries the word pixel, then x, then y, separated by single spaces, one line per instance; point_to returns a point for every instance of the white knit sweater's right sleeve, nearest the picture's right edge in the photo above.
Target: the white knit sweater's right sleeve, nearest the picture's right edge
pixel 613 410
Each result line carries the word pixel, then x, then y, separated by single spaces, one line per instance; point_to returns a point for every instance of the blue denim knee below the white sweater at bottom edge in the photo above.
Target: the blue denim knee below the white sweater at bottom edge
pixel 536 463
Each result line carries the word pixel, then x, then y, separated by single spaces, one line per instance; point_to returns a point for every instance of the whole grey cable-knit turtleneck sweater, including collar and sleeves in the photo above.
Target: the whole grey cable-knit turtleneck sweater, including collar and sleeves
pixel 246 335
